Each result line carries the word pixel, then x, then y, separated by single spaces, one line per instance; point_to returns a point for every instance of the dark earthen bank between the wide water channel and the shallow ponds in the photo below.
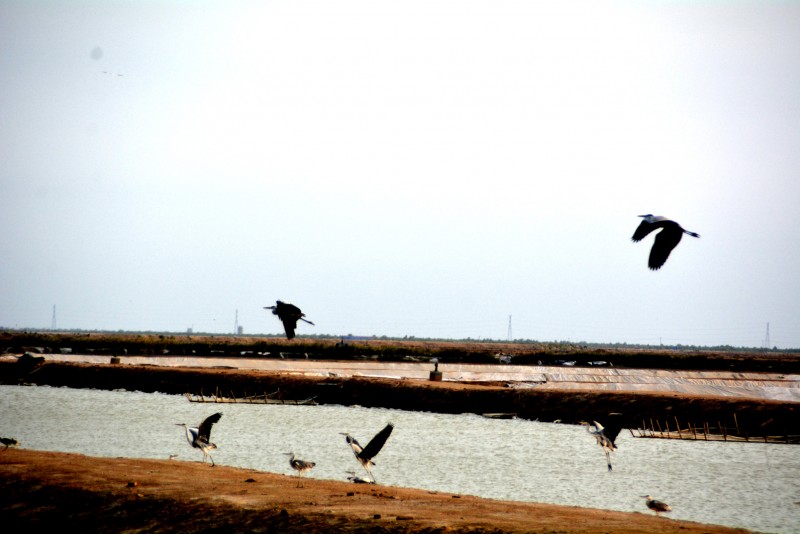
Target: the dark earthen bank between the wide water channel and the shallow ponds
pixel 750 417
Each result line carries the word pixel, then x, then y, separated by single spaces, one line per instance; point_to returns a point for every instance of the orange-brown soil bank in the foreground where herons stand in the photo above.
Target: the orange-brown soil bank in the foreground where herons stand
pixel 73 492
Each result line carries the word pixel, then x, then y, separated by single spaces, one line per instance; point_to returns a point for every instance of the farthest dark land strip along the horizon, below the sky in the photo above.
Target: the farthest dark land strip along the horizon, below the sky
pixel 482 352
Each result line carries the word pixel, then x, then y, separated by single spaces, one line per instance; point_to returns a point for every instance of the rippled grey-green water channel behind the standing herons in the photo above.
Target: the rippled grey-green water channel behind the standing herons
pixel 755 486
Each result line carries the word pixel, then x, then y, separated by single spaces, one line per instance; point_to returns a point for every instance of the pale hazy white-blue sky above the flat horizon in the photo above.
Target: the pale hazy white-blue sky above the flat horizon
pixel 422 168
